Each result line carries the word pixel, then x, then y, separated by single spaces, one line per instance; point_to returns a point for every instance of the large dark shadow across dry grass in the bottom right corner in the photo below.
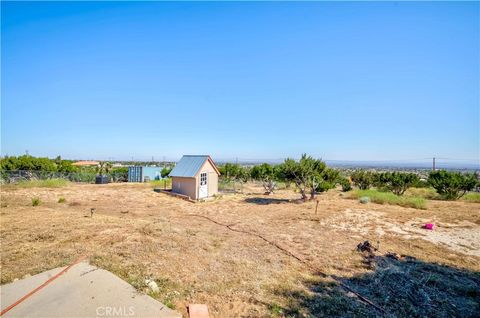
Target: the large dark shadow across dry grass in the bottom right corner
pixel 401 286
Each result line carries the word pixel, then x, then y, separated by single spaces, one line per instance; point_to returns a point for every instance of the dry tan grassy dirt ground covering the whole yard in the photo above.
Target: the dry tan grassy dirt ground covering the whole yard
pixel 251 255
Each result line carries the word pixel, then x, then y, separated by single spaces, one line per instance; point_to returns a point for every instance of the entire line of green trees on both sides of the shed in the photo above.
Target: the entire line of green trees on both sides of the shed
pixel 308 175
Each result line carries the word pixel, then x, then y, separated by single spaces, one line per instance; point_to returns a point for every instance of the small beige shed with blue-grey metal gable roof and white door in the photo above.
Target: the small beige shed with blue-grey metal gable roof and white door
pixel 195 176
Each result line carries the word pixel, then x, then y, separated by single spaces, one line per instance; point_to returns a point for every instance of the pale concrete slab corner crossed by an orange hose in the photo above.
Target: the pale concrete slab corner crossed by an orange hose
pixel 83 291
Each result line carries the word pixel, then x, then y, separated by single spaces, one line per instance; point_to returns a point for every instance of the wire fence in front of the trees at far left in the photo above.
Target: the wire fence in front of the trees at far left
pixel 15 176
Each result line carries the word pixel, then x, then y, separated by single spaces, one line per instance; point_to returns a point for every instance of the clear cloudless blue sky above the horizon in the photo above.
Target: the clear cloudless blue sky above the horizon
pixel 351 81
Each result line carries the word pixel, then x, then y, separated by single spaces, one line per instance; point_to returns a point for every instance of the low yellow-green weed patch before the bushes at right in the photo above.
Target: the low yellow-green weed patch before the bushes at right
pixel 390 198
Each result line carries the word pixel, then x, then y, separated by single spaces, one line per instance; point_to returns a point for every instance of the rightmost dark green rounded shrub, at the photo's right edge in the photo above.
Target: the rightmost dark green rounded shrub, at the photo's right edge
pixel 452 185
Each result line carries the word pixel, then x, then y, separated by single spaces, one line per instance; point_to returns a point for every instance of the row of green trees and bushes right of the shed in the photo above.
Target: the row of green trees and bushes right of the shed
pixel 312 176
